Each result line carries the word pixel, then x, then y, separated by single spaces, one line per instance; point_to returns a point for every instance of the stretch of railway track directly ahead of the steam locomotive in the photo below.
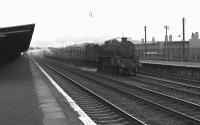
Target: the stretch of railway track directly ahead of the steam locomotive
pixel 175 89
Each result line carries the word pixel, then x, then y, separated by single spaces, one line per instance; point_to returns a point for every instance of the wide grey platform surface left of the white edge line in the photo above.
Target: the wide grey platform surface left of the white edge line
pixel 28 98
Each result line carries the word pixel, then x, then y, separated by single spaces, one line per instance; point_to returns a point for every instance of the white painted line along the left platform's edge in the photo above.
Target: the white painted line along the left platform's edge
pixel 82 115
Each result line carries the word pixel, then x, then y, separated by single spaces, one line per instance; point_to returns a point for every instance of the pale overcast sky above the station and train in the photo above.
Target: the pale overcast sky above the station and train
pixel 64 22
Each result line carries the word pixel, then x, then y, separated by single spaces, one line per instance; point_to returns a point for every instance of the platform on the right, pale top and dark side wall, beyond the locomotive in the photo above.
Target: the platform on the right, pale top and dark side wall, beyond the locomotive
pixel 186 70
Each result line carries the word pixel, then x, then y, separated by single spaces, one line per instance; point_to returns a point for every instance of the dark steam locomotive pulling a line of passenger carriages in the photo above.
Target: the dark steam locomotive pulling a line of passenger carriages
pixel 113 56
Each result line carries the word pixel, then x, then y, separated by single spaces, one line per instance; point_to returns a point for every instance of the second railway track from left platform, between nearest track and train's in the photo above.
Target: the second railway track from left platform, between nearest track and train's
pixel 178 107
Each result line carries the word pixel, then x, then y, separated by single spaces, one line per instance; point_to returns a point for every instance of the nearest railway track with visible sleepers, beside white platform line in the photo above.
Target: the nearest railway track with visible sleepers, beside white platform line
pixel 100 110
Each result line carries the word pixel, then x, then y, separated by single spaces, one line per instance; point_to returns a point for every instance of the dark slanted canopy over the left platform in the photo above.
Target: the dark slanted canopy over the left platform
pixel 15 39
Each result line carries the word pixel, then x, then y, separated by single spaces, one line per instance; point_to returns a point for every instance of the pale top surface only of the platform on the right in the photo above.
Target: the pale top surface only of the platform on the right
pixel 172 63
